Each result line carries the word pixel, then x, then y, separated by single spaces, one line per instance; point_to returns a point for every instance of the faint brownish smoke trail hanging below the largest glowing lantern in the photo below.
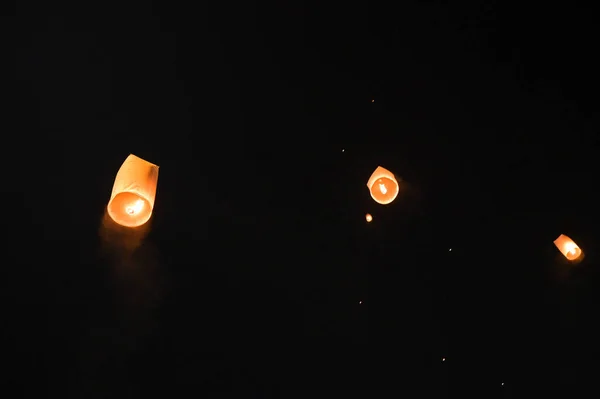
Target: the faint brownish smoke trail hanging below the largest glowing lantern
pixel 126 316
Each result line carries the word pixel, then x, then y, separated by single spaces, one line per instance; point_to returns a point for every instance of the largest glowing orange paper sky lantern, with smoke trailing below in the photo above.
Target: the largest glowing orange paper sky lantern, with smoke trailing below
pixel 134 191
